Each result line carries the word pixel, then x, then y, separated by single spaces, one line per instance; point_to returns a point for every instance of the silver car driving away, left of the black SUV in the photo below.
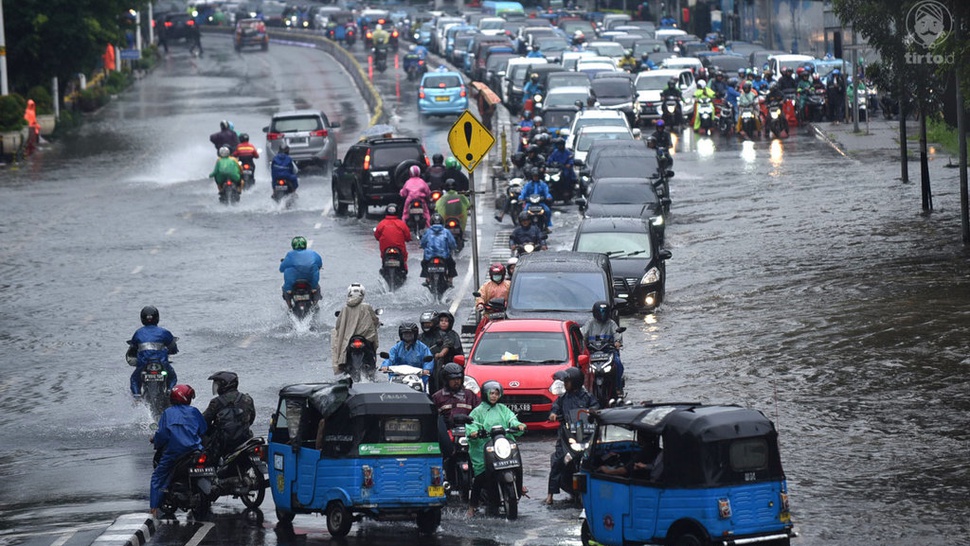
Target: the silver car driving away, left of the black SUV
pixel 307 132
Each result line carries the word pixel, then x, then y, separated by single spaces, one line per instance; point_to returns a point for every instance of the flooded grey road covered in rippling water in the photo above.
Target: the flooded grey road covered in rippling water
pixel 803 283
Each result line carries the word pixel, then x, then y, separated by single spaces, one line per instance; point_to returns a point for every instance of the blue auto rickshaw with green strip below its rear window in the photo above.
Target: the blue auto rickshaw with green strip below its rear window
pixel 351 451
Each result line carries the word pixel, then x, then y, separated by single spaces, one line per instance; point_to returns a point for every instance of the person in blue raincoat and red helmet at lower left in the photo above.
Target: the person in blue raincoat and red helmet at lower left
pixel 180 431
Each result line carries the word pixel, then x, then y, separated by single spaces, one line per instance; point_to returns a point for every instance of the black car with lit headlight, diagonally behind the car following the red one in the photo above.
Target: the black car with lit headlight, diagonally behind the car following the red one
pixel 636 257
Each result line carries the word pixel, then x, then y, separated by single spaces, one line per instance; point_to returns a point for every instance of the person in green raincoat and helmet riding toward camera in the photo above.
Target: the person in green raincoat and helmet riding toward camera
pixel 489 413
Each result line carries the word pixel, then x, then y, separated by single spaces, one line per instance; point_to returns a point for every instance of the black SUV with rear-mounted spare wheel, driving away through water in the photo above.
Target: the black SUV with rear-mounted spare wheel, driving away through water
pixel 373 172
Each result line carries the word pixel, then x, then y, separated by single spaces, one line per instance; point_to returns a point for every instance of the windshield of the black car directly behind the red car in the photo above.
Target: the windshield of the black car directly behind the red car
pixel 557 291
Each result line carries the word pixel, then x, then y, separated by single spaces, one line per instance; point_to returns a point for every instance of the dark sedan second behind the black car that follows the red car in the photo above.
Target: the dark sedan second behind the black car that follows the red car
pixel 627 197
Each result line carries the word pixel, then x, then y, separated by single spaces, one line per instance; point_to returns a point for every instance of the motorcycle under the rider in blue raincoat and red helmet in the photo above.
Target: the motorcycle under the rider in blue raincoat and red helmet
pixel 190 486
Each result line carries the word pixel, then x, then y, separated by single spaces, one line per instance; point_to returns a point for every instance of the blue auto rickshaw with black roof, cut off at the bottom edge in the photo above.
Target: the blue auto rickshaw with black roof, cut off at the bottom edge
pixel 683 475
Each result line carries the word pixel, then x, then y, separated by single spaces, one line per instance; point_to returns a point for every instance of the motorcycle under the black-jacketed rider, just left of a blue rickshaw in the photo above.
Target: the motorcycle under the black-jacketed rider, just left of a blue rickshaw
pixel 242 474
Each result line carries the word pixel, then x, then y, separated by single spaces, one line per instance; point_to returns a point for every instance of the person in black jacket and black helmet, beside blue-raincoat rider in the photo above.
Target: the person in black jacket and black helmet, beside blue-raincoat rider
pixel 229 415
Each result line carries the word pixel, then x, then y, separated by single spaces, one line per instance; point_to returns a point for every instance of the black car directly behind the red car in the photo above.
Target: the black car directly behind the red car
pixel 561 284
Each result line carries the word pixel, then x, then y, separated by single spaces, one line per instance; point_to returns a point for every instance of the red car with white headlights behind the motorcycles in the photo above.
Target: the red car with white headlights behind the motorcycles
pixel 522 355
